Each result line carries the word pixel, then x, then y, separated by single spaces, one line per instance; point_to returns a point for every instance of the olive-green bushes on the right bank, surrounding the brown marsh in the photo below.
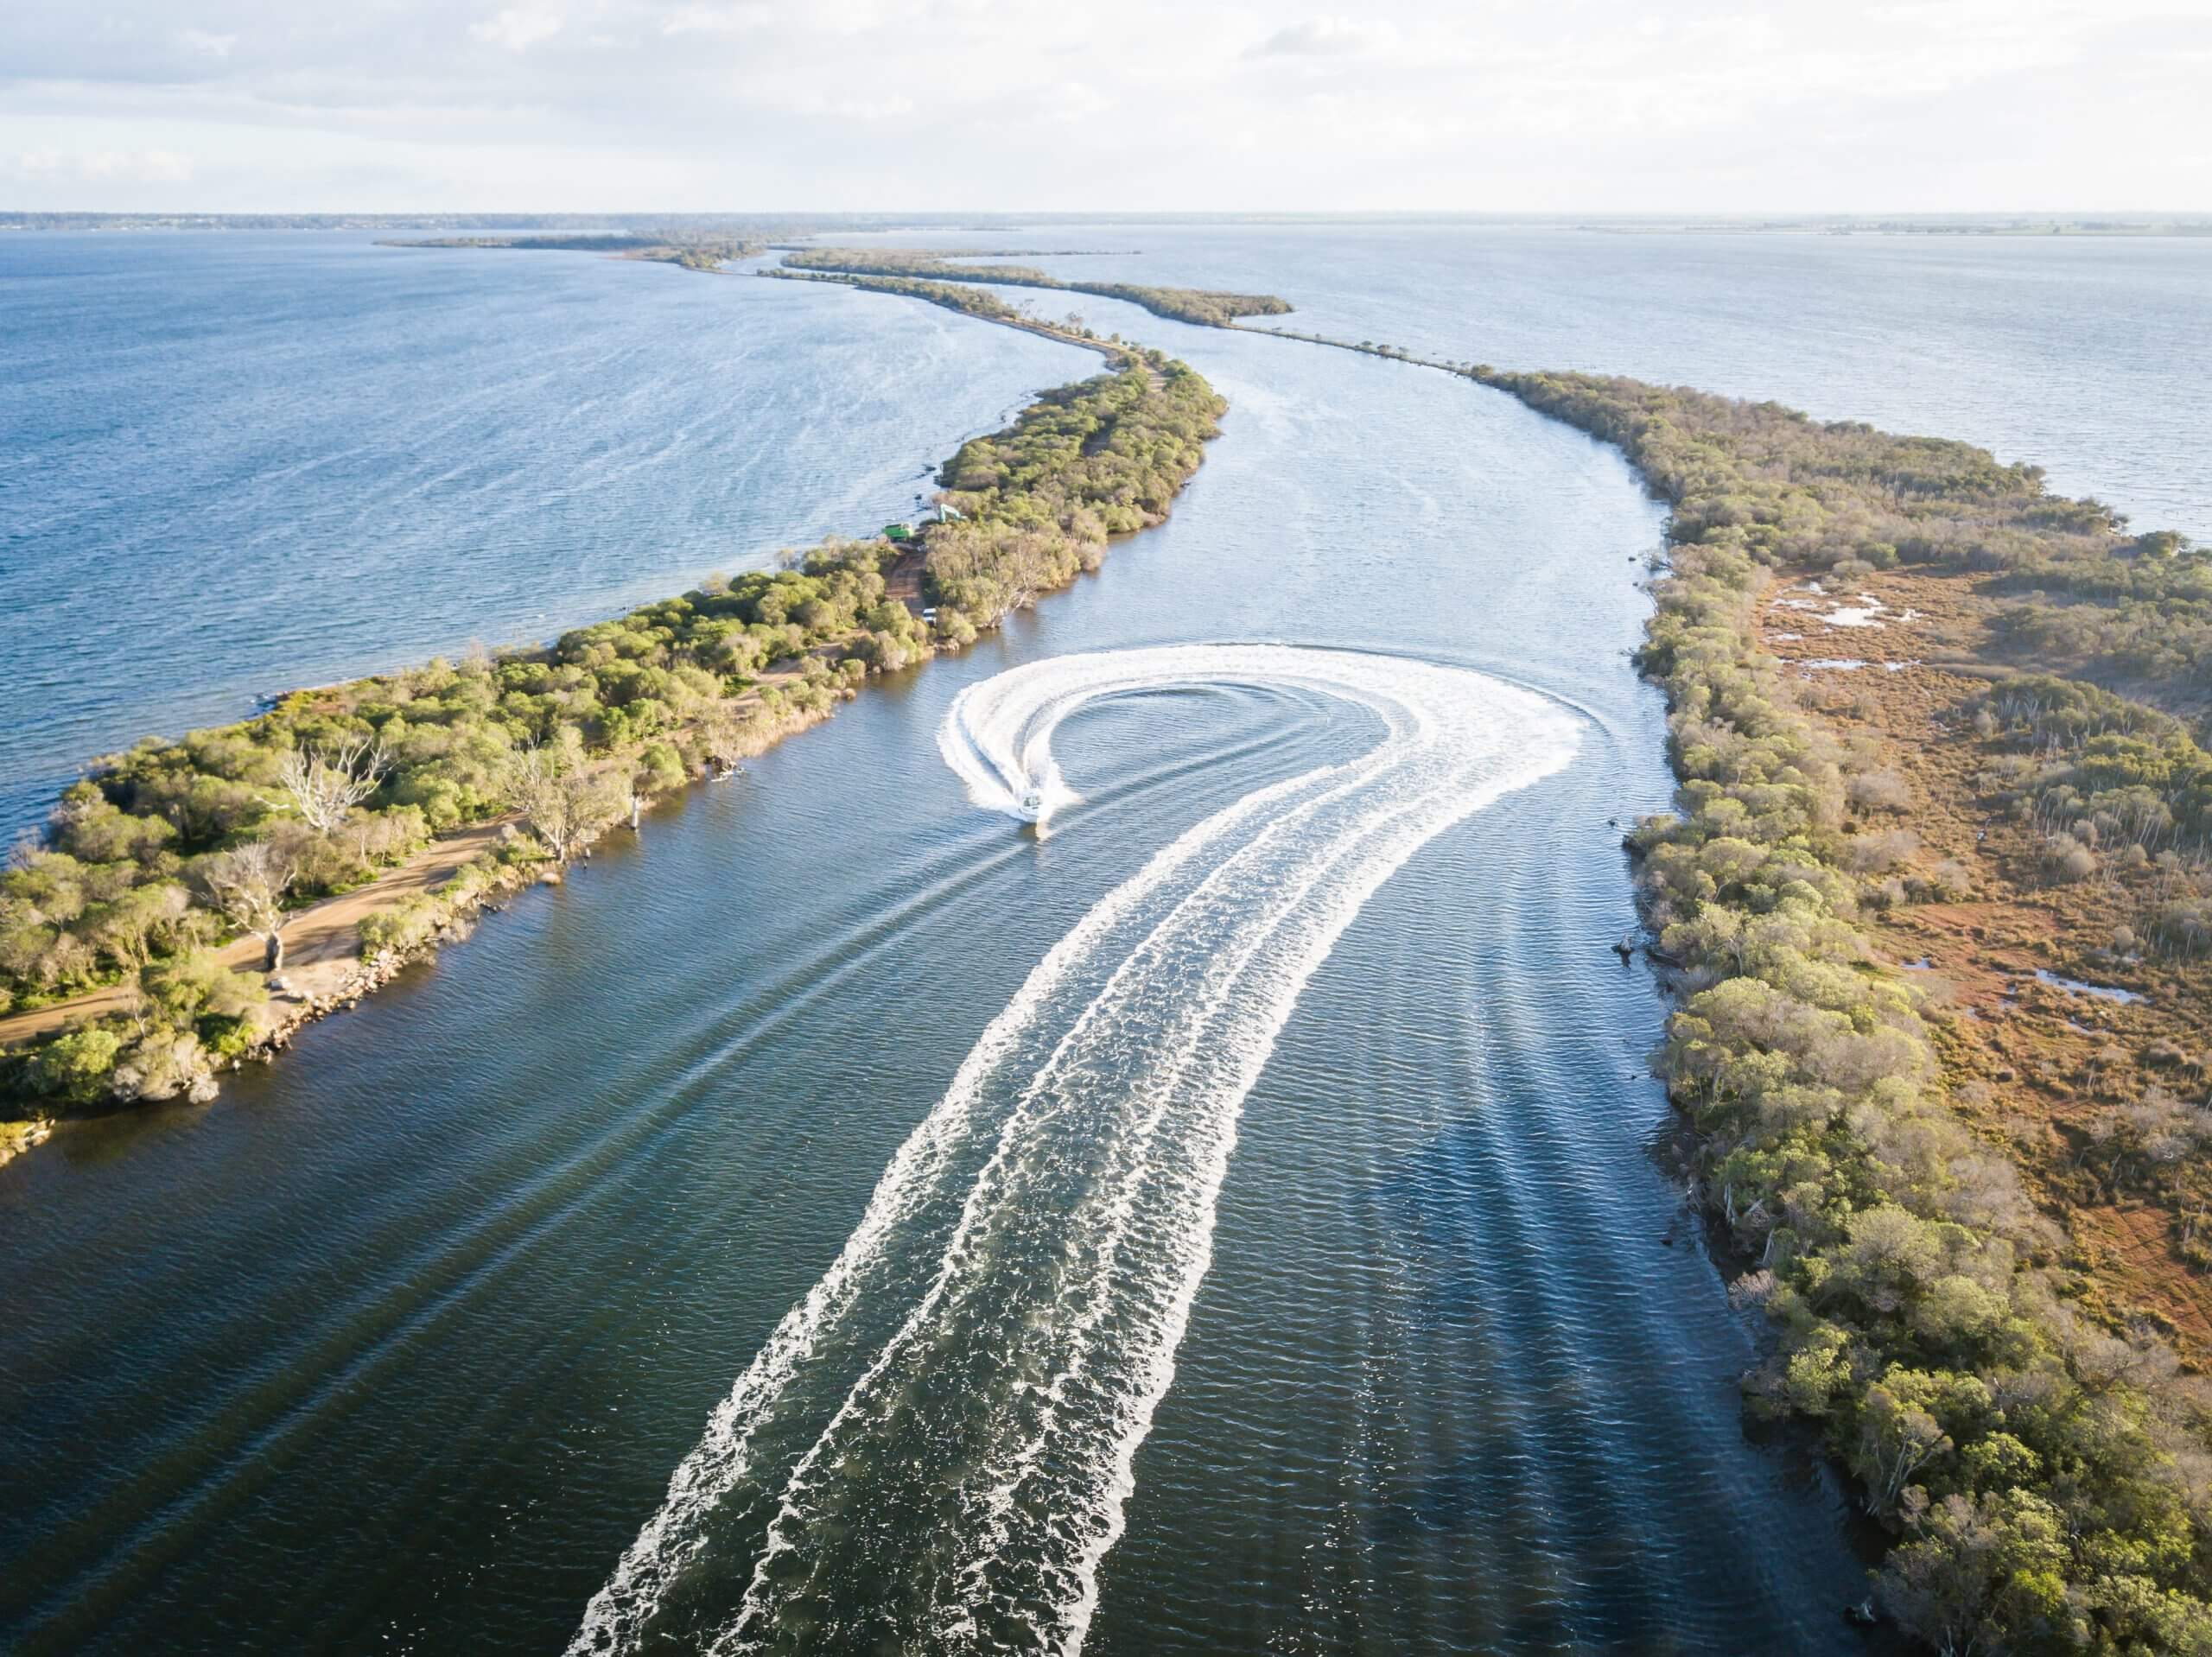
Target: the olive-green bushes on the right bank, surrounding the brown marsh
pixel 2049 1481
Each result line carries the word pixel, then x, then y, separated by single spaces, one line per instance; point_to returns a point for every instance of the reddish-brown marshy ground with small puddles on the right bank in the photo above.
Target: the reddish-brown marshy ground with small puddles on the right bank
pixel 2034 1067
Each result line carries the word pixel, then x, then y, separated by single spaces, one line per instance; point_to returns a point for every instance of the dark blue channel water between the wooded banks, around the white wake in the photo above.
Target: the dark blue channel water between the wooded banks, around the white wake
pixel 401 1342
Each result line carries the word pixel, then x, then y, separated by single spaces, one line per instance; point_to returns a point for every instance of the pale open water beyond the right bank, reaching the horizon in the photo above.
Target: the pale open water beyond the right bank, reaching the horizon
pixel 2089 357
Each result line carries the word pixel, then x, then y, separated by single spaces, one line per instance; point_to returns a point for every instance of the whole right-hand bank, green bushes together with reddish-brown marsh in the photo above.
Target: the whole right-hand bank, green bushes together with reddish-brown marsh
pixel 2034 1446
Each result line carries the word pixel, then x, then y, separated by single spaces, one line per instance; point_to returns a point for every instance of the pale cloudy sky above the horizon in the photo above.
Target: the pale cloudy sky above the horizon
pixel 1105 105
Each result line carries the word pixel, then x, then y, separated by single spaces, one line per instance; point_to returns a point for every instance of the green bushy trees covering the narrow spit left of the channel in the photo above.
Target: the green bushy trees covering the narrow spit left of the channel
pixel 169 848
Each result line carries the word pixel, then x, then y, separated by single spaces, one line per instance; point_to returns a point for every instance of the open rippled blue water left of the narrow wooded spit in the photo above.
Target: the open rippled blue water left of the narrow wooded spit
pixel 233 466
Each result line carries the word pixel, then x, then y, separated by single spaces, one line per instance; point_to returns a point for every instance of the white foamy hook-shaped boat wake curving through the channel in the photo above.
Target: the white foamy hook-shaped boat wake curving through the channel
pixel 937 1444
